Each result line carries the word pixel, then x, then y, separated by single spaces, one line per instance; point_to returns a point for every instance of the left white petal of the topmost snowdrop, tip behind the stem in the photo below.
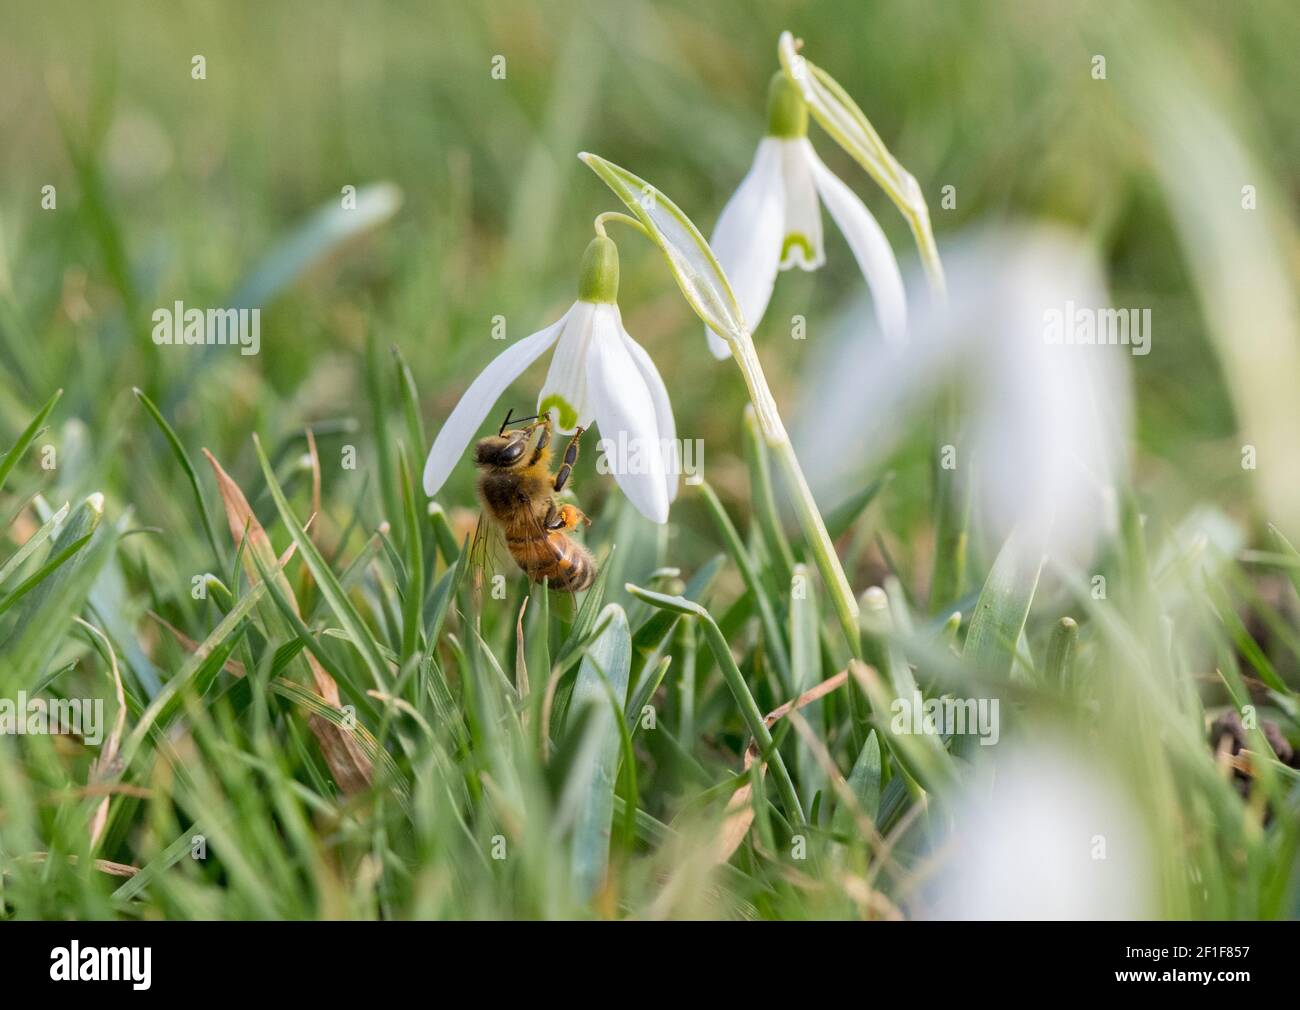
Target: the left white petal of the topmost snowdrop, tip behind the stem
pixel 748 239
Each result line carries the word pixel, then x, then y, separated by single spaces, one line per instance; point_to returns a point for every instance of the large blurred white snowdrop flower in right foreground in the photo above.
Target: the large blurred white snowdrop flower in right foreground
pixel 1047 424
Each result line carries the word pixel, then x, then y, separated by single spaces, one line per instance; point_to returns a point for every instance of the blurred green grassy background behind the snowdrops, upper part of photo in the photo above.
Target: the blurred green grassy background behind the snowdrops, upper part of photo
pixel 171 188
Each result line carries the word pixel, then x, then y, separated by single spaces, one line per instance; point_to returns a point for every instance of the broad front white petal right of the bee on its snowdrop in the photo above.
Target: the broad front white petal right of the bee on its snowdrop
pixel 626 415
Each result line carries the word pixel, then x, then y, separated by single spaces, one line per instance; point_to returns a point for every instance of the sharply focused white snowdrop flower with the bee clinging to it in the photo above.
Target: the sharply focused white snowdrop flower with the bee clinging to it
pixel 599 374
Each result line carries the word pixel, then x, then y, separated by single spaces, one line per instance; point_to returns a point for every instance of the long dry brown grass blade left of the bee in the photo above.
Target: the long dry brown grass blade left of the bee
pixel 349 764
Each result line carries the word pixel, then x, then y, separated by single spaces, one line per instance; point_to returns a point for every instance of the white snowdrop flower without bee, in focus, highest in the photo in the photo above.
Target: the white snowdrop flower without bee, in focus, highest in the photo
pixel 774 223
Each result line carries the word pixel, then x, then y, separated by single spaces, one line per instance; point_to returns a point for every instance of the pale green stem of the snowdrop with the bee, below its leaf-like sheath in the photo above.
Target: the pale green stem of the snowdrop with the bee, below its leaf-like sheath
pixel 805 506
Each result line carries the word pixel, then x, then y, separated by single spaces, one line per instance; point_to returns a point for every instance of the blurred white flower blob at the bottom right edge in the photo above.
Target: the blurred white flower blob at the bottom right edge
pixel 1050 835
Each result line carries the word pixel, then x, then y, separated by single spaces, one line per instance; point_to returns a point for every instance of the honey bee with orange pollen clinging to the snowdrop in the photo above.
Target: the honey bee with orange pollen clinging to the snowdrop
pixel 518 493
